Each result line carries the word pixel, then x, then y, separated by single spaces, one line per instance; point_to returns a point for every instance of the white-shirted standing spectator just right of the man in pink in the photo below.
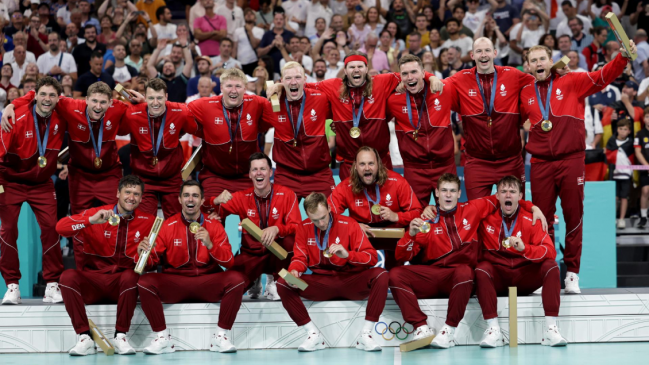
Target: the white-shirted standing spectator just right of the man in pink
pixel 246 40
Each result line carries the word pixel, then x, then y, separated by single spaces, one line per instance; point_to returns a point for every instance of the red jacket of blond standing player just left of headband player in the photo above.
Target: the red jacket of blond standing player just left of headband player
pixel 311 154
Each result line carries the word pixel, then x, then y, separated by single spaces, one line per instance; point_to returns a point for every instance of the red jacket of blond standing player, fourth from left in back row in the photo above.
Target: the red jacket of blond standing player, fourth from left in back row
pixel 217 158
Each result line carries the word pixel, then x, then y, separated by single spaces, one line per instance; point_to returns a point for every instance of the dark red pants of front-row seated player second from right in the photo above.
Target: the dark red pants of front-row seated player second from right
pixel 412 282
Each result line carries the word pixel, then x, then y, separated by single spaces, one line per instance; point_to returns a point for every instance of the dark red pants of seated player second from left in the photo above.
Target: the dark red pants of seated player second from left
pixel 227 287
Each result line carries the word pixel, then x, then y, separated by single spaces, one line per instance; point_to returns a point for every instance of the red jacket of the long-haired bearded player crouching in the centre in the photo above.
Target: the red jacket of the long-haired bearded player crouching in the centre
pixel 396 194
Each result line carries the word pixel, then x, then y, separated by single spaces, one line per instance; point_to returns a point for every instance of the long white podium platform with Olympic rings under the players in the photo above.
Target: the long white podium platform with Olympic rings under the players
pixel 597 315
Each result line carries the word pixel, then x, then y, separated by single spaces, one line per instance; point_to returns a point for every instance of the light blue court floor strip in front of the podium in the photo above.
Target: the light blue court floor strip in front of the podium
pixel 575 354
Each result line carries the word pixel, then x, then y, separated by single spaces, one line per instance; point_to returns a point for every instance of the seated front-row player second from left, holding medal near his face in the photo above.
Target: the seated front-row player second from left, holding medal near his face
pixel 191 271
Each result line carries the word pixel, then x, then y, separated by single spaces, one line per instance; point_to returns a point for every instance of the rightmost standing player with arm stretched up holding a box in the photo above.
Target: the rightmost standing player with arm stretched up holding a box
pixel 555 107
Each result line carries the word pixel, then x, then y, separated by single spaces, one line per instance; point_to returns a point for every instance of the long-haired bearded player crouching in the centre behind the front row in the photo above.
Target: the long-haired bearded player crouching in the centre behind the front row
pixel 376 197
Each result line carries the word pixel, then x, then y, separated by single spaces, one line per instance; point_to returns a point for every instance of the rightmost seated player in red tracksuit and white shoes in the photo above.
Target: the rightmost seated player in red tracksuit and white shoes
pixel 516 253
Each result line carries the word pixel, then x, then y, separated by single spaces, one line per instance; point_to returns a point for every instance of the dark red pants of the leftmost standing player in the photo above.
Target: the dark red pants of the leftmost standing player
pixel 42 199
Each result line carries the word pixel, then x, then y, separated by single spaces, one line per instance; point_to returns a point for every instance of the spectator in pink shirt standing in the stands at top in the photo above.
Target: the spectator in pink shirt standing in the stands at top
pixel 210 29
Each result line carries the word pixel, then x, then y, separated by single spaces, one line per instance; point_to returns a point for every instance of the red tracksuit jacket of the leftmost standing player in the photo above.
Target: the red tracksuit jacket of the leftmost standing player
pixel 19 150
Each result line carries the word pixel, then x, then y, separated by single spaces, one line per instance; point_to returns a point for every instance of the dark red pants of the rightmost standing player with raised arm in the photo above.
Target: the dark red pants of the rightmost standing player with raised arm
pixel 563 179
